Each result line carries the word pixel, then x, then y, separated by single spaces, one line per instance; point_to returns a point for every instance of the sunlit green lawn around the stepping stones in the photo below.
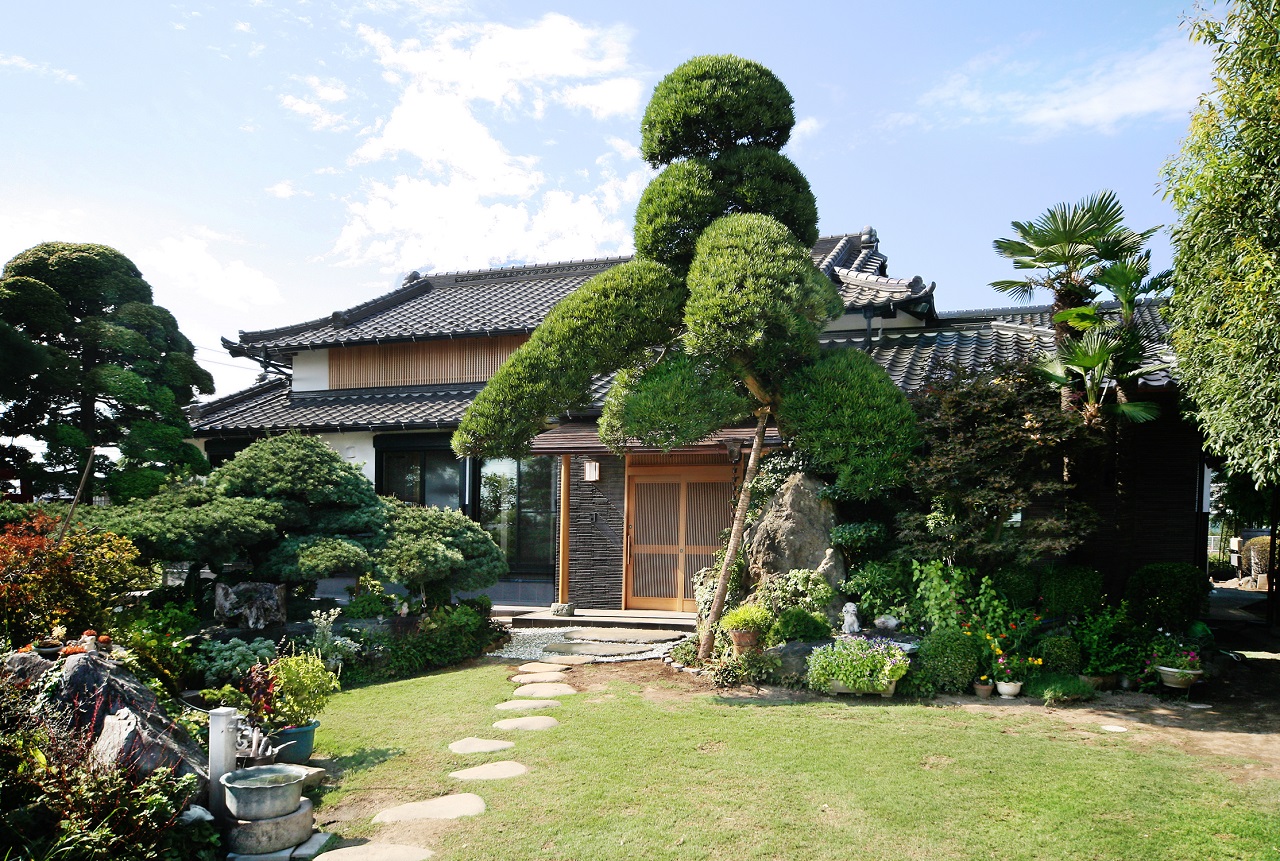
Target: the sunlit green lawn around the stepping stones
pixel 669 775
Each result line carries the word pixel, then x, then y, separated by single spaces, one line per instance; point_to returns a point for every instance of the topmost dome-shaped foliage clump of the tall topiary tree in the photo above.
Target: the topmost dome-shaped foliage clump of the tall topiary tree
pixel 714 103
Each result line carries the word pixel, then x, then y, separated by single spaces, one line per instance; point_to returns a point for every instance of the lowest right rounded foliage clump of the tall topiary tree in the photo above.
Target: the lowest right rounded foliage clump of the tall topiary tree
pixel 847 415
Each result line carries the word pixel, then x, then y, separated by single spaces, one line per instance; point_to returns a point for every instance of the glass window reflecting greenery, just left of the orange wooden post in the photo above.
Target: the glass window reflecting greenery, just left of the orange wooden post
pixel 516 507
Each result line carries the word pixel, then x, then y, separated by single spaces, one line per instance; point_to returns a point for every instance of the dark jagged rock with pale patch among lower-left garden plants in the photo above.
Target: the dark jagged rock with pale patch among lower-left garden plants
pixel 130 726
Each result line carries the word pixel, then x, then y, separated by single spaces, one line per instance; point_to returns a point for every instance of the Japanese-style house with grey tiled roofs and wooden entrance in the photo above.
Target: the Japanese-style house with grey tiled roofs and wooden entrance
pixel 386 383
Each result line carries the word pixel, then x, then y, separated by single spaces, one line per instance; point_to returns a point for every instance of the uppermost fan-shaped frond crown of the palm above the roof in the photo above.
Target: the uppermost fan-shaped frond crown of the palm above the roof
pixel 1068 249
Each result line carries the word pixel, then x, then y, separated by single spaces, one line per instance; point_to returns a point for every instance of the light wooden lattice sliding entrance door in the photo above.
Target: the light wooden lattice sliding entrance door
pixel 675 520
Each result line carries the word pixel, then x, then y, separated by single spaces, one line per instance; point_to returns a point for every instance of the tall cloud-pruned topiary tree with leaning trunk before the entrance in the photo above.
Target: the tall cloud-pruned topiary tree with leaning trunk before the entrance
pixel 720 312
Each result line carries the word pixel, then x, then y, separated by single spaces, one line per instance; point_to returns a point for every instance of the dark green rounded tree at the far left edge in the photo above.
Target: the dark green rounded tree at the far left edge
pixel 89 360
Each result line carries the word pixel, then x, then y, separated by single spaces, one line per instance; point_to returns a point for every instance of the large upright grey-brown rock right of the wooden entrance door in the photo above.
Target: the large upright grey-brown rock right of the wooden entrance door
pixel 796 533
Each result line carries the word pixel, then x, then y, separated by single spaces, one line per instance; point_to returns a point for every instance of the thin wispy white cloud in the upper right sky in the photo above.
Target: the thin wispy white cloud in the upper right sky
pixel 1163 83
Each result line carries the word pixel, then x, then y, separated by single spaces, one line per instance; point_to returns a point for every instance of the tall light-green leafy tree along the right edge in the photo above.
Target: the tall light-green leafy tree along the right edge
pixel 1224 185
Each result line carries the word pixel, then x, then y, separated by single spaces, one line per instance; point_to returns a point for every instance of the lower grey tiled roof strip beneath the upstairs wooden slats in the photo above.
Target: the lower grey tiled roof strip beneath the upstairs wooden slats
pixel 271 407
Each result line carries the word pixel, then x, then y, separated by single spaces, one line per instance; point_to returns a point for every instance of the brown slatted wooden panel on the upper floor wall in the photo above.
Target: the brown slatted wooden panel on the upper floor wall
pixel 426 363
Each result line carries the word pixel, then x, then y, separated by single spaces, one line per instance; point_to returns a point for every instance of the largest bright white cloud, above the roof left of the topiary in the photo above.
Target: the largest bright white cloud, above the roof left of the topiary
pixel 470 200
